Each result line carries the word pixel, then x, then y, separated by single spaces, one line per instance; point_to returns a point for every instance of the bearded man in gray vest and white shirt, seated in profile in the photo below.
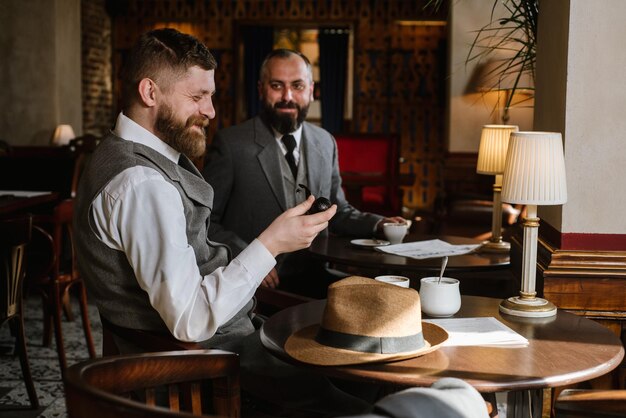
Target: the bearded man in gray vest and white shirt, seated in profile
pixel 143 213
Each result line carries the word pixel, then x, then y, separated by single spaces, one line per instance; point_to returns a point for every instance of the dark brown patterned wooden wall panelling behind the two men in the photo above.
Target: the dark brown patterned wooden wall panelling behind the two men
pixel 399 68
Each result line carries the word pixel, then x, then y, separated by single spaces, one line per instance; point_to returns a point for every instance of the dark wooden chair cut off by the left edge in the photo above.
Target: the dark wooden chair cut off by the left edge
pixel 14 237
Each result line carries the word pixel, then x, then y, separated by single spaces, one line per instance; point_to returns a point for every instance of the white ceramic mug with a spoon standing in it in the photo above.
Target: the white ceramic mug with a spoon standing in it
pixel 440 299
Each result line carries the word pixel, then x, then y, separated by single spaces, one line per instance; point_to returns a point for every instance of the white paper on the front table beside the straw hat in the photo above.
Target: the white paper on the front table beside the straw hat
pixel 482 331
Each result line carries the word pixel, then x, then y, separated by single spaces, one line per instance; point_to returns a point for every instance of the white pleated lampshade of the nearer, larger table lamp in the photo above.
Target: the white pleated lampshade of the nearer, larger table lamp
pixel 534 171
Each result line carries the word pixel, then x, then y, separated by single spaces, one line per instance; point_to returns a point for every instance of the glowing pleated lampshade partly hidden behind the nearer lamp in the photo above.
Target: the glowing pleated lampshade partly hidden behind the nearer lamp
pixel 494 141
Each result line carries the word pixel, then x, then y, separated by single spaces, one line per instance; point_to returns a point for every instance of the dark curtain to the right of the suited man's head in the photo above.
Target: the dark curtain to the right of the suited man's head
pixel 333 44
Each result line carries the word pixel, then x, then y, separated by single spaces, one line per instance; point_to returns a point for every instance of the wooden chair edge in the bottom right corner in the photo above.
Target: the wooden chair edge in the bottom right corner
pixel 578 403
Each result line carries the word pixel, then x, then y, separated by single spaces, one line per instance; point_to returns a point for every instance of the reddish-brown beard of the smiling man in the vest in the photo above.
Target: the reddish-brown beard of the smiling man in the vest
pixel 181 135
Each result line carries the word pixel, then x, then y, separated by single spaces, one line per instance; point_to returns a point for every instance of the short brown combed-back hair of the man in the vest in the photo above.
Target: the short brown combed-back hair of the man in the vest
pixel 162 55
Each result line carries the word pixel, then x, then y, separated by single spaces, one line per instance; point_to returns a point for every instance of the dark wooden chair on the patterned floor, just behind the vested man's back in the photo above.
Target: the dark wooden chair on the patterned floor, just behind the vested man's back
pixel 55 282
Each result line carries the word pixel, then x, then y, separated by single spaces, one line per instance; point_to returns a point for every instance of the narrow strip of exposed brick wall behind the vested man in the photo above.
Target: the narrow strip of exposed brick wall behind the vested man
pixel 97 95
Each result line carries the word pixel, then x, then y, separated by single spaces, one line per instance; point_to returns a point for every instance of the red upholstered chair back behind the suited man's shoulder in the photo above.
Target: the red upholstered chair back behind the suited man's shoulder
pixel 369 165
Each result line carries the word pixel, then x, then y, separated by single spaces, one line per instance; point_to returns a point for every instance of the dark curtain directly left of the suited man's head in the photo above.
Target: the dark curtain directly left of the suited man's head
pixel 258 41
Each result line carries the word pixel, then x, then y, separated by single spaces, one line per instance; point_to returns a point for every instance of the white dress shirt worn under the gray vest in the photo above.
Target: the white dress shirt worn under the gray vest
pixel 142 215
